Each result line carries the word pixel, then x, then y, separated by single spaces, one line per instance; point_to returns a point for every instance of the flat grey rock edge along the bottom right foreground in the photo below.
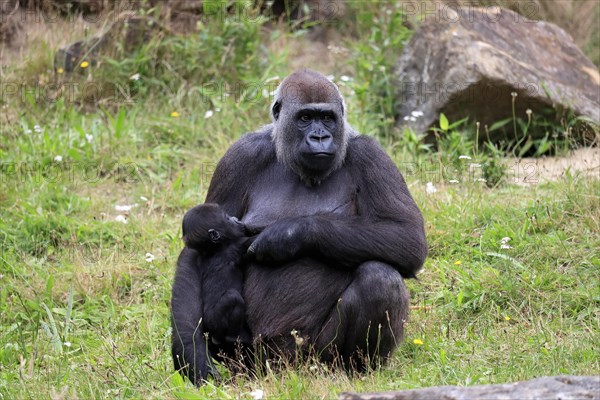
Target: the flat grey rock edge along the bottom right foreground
pixel 547 388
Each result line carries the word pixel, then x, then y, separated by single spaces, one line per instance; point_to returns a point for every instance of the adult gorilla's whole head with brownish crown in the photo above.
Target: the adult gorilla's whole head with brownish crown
pixel 310 130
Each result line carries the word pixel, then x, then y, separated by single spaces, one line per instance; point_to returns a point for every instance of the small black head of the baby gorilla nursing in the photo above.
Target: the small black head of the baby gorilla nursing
pixel 207 227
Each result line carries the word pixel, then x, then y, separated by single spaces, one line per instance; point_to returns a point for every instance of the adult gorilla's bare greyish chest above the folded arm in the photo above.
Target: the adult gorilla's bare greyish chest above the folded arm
pixel 278 195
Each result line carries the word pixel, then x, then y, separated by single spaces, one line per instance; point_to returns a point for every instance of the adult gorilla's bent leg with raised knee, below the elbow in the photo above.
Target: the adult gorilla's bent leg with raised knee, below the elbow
pixel 367 323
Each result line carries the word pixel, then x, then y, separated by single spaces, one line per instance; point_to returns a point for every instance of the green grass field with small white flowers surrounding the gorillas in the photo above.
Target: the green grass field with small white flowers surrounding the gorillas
pixel 92 197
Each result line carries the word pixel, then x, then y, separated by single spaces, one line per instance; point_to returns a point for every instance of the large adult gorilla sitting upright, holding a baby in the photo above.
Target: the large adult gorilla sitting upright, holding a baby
pixel 340 232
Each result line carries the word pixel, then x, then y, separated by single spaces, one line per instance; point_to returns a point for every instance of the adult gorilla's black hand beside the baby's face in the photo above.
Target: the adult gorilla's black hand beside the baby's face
pixel 282 241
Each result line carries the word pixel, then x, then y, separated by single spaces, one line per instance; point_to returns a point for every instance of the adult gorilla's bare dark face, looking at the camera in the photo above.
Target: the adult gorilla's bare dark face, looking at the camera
pixel 316 128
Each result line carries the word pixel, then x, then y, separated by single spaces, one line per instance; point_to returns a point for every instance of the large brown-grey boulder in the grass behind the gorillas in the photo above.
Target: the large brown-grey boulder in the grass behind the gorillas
pixel 468 62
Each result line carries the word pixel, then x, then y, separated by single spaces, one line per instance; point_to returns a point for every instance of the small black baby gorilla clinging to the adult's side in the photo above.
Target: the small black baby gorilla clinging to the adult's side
pixel 221 242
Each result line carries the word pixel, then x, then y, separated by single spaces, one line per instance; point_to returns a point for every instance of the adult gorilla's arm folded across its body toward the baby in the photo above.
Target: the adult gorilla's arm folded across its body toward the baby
pixel 388 228
